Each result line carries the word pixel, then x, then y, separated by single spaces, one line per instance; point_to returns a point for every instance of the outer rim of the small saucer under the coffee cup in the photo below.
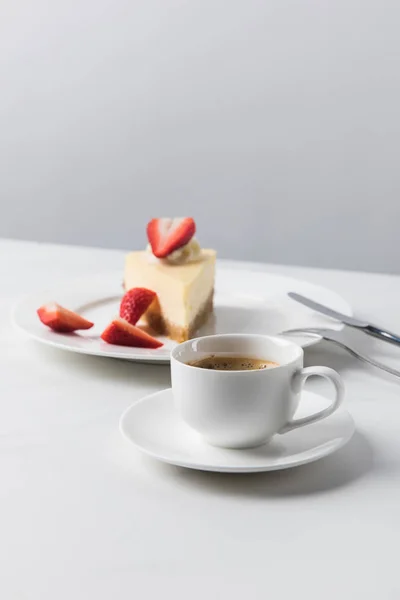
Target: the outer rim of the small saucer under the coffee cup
pixel 212 468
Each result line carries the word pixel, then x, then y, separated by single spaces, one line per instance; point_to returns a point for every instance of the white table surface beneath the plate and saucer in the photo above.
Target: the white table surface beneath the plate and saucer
pixel 84 516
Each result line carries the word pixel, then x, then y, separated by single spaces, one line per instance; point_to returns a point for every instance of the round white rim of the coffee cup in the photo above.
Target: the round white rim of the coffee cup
pixel 272 338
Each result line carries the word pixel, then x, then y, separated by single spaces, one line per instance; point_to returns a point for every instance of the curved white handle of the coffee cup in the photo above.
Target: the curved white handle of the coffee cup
pixel 298 382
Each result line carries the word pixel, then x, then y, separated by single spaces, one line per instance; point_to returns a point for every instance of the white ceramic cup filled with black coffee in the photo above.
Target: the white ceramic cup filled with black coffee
pixel 243 409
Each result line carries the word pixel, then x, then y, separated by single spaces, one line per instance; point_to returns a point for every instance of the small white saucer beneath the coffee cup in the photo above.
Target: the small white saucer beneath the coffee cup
pixel 155 428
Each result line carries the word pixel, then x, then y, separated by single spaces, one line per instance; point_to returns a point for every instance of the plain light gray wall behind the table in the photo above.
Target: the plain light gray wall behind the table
pixel 275 123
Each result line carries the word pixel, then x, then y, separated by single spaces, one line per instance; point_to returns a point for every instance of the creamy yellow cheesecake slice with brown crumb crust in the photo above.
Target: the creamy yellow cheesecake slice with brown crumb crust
pixel 184 291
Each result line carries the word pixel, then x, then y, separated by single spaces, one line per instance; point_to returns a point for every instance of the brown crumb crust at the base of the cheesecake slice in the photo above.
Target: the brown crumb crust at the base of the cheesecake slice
pixel 159 324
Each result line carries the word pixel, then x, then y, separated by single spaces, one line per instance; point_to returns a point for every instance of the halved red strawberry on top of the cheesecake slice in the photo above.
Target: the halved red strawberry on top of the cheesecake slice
pixel 167 235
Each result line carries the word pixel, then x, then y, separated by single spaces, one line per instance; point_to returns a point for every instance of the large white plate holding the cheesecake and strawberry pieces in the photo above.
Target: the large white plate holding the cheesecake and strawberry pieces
pixel 245 301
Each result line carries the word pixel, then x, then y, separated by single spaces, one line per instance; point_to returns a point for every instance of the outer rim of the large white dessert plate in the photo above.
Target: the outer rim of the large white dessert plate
pixel 152 357
